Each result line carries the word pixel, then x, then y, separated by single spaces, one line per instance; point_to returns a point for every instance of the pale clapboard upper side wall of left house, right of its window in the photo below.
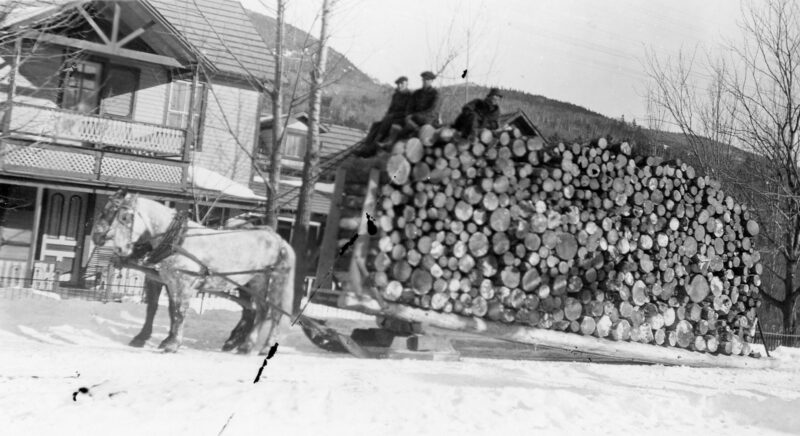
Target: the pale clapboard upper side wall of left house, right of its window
pixel 228 132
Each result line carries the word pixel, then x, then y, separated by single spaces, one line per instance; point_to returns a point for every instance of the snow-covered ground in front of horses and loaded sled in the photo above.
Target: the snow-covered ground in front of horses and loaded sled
pixel 49 349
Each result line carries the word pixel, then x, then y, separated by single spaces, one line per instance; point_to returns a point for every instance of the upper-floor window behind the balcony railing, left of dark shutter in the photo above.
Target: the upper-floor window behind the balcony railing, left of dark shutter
pixel 81 86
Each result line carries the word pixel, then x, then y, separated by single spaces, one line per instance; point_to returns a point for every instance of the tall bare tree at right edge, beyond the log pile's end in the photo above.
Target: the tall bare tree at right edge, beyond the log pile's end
pixel 767 92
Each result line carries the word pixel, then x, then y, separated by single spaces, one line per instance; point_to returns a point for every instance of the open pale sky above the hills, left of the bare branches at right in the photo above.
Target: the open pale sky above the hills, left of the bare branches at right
pixel 587 52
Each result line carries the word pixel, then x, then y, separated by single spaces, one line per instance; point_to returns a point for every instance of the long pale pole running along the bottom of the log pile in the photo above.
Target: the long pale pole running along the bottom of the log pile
pixel 567 341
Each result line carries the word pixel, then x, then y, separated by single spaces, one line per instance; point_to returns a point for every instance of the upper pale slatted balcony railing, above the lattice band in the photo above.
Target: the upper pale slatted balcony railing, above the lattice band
pixel 73 128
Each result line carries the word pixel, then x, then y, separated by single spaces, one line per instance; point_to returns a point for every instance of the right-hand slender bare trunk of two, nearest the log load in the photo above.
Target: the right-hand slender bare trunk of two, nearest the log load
pixel 311 159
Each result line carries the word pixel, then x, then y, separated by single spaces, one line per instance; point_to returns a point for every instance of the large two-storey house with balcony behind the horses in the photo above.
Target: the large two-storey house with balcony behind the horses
pixel 155 95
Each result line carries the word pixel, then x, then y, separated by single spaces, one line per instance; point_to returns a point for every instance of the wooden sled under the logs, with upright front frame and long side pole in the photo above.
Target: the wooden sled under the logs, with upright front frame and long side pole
pixel 343 259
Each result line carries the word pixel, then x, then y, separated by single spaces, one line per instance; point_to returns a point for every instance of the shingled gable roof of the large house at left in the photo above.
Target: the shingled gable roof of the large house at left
pixel 218 31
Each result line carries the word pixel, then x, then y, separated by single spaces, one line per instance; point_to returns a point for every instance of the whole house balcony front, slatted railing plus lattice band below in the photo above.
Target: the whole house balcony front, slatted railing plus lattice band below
pixel 49 143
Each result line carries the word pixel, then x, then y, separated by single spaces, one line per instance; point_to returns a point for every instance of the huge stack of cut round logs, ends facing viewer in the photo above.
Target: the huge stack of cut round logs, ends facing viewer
pixel 581 238
